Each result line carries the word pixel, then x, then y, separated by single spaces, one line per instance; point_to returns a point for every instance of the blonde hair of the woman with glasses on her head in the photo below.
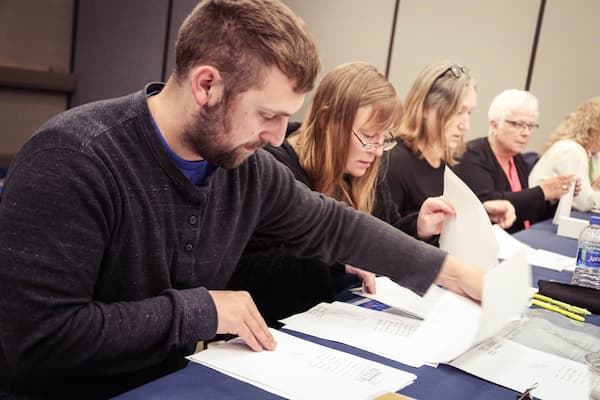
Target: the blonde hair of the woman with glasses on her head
pixel 436 87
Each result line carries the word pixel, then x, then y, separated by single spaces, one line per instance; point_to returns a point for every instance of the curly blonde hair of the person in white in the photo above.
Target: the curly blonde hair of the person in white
pixel 582 125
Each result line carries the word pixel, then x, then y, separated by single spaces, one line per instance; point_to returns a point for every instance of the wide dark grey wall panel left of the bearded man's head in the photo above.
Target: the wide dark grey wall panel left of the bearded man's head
pixel 119 47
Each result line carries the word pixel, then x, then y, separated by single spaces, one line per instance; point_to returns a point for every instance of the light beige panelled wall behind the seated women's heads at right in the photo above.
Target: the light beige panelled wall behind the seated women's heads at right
pixel 493 38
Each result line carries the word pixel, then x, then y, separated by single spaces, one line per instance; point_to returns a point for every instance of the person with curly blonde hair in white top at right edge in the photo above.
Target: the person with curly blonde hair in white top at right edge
pixel 571 148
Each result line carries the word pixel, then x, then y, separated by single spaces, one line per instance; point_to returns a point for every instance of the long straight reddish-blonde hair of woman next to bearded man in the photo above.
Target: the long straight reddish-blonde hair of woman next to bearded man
pixel 324 138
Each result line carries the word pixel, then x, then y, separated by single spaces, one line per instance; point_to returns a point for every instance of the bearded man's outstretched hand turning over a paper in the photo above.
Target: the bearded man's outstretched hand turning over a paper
pixel 461 278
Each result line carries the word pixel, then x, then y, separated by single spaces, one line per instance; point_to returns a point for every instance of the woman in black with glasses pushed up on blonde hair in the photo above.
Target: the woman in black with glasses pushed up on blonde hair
pixel 438 107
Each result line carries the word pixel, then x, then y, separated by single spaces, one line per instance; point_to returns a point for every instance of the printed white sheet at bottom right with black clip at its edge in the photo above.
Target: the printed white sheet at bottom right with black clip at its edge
pixel 518 367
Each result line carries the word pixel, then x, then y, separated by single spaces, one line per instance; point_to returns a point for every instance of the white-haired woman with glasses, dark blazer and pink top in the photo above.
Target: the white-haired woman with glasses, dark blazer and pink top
pixel 494 168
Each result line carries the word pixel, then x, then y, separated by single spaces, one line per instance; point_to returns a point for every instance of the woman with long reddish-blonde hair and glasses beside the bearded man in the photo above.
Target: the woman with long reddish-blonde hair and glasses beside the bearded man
pixel 336 151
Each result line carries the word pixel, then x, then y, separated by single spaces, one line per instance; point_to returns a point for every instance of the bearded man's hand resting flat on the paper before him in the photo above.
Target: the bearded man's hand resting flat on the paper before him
pixel 237 314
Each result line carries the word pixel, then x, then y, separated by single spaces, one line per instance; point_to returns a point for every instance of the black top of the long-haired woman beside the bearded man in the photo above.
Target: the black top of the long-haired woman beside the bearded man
pixel 283 284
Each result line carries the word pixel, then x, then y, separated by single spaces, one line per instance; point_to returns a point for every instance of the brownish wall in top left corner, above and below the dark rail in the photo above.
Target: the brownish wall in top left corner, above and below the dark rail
pixel 35 35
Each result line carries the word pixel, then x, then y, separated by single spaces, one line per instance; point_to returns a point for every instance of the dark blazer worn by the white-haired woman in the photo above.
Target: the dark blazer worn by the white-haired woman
pixel 482 172
